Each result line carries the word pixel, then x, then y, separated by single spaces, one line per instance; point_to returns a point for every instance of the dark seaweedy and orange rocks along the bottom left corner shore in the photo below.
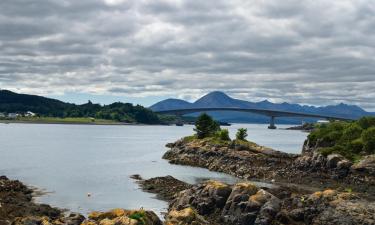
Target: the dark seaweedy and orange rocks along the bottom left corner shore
pixel 17 208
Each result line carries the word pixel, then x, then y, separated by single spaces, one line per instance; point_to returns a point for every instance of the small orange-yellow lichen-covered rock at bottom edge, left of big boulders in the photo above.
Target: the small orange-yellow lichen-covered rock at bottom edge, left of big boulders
pixel 186 216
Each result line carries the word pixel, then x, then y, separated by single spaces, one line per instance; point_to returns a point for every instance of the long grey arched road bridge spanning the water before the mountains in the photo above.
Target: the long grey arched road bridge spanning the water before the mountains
pixel 266 112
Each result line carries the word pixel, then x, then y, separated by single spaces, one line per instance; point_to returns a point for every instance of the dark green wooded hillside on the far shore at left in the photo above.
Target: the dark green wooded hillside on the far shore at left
pixel 123 112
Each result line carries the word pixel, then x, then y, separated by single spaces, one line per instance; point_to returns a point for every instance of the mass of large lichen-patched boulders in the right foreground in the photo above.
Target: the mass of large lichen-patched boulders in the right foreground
pixel 246 204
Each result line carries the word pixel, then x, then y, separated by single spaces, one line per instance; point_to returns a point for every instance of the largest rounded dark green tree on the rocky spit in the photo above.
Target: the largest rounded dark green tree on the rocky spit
pixel 205 126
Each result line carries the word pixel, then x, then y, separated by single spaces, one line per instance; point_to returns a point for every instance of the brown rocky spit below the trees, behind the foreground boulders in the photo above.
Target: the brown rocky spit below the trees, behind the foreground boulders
pixel 254 162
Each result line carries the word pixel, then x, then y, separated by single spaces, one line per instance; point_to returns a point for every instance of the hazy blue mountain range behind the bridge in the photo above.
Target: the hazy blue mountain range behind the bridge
pixel 220 99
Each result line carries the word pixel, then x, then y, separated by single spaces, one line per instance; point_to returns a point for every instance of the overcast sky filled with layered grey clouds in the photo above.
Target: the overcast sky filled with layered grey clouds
pixel 314 52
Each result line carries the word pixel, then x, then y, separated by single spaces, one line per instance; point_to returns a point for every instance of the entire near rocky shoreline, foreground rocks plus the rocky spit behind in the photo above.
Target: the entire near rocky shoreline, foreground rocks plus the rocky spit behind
pixel 306 189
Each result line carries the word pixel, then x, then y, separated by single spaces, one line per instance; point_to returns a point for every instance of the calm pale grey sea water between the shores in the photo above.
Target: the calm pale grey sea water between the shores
pixel 69 161
